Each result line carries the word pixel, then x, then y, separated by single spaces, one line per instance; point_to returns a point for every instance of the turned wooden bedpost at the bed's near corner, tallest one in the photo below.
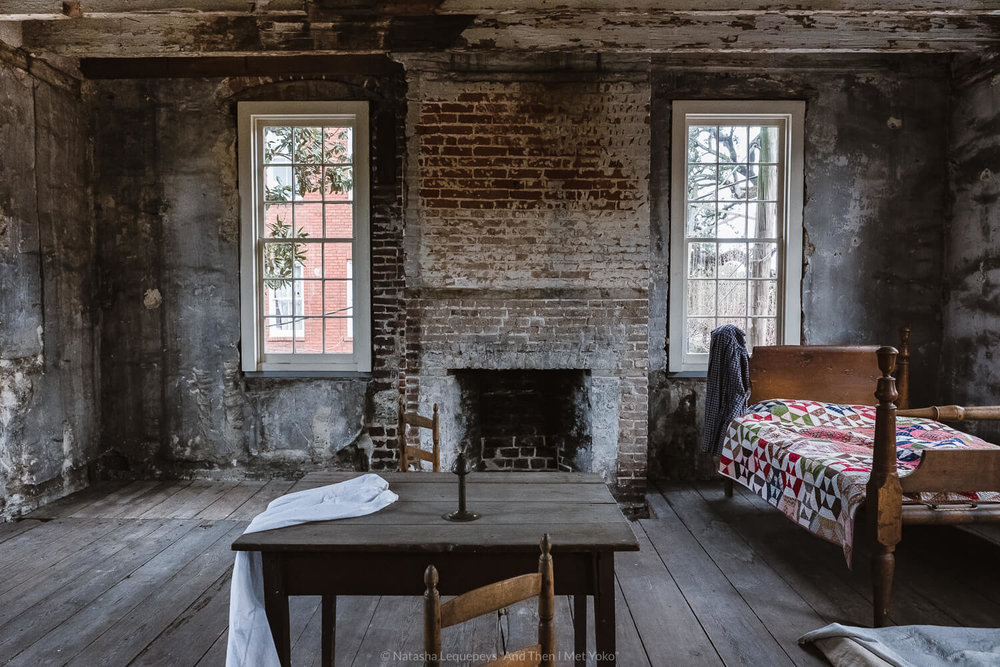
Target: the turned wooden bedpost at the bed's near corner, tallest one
pixel 884 498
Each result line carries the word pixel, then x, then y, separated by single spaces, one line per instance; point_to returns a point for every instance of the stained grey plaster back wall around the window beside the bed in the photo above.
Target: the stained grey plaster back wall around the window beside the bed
pixel 875 206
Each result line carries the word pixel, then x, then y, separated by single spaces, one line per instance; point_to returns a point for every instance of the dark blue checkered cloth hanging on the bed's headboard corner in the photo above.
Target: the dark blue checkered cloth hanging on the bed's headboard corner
pixel 728 385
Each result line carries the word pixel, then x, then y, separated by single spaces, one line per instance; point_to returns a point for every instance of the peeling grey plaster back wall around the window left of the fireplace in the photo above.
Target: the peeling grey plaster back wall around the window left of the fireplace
pixel 176 402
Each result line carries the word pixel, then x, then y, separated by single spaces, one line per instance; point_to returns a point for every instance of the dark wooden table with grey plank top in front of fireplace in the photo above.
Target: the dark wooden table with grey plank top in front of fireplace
pixel 386 553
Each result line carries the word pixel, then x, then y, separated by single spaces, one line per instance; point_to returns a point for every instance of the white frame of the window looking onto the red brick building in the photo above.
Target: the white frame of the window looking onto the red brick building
pixel 251 118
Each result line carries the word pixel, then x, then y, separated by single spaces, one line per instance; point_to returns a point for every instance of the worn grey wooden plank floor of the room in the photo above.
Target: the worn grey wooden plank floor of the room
pixel 138 573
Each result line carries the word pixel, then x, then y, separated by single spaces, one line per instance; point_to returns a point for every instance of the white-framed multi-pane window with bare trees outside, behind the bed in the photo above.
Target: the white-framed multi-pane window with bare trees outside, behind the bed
pixel 736 225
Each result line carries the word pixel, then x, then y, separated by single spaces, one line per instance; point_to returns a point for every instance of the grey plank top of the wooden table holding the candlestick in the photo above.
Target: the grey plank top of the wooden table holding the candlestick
pixel 576 509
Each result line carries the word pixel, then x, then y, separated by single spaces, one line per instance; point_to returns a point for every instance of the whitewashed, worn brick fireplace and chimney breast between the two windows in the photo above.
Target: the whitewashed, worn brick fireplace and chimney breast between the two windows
pixel 527 267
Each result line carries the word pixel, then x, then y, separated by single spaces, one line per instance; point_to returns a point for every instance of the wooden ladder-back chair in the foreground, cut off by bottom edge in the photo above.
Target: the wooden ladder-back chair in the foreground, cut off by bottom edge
pixel 491 598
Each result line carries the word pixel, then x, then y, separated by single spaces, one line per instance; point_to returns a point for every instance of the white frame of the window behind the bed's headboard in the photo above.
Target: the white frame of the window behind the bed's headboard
pixel 788 114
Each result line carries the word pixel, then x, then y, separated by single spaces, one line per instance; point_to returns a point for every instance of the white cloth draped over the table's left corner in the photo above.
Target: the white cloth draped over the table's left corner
pixel 250 641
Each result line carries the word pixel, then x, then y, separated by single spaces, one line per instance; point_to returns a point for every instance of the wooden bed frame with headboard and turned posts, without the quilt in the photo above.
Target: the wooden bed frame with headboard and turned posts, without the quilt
pixel 847 375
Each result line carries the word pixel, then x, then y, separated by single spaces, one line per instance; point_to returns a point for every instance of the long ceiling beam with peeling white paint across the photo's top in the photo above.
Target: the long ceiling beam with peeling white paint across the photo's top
pixel 150 35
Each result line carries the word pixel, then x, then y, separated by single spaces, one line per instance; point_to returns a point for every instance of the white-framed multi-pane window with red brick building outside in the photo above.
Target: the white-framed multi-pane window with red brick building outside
pixel 304 262
